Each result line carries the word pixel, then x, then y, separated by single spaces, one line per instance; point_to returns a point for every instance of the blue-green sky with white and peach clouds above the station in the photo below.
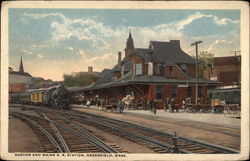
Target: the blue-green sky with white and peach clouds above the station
pixel 54 42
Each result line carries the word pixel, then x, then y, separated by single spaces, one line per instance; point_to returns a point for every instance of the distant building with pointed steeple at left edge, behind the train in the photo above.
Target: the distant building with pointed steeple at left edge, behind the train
pixel 19 80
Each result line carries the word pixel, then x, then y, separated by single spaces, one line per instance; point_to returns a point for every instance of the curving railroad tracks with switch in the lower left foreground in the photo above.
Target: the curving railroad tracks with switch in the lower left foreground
pixel 62 138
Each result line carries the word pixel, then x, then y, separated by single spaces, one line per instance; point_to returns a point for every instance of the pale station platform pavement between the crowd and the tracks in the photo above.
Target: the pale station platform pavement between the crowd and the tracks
pixel 226 120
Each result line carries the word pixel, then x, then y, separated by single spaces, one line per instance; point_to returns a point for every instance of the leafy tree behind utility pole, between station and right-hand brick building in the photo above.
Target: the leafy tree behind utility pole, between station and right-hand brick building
pixel 205 61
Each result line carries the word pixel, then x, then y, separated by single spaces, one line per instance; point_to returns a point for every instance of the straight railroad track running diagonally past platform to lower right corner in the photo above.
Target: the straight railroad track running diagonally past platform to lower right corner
pixel 160 142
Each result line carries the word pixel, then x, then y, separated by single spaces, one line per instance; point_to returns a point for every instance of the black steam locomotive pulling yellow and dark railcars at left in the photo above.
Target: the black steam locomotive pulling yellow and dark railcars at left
pixel 56 96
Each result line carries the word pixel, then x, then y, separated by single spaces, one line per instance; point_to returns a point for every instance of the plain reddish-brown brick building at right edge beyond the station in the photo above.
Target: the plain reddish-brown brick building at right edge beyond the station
pixel 226 70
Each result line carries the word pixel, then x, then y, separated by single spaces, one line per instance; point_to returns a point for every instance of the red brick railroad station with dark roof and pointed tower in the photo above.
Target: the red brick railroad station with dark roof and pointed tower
pixel 160 72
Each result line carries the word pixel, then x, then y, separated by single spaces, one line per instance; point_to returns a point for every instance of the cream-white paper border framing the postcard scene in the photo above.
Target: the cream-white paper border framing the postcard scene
pixel 242 6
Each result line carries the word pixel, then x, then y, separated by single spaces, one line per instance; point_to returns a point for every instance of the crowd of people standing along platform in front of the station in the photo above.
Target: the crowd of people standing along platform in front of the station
pixel 129 102
